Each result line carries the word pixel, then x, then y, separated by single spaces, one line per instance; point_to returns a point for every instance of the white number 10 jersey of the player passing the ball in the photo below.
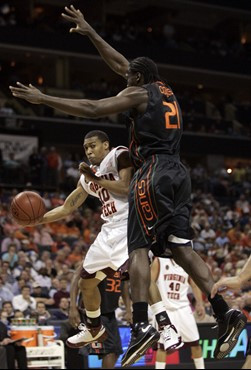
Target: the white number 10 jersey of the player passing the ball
pixel 115 207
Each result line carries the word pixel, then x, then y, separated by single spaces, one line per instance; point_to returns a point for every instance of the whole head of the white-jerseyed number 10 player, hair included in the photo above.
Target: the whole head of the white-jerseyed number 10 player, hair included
pixel 96 146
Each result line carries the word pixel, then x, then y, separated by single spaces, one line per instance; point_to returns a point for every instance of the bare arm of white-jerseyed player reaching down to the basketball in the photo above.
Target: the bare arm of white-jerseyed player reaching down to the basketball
pixel 72 202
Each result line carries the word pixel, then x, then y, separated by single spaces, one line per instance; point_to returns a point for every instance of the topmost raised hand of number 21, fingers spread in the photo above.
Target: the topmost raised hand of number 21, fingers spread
pixel 75 16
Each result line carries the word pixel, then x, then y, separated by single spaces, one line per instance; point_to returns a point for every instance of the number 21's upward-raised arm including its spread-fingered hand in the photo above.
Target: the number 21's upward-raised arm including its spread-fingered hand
pixel 116 61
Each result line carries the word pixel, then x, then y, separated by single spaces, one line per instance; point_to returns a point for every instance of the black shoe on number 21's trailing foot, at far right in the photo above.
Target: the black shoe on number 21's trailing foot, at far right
pixel 229 330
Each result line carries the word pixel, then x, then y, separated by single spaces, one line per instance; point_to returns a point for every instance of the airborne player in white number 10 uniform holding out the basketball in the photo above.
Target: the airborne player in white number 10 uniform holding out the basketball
pixel 108 179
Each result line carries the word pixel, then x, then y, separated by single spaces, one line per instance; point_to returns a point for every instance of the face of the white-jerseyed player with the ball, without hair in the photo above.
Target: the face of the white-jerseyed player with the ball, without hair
pixel 95 150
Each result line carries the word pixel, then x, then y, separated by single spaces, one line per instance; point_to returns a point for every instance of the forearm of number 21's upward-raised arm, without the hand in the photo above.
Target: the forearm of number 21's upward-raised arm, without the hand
pixel 116 61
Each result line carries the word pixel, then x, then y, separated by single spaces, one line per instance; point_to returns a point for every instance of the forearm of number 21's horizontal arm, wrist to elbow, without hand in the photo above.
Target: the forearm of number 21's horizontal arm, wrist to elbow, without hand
pixel 75 107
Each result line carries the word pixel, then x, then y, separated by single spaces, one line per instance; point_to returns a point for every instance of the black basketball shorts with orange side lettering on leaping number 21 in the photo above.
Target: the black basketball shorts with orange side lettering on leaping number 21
pixel 160 205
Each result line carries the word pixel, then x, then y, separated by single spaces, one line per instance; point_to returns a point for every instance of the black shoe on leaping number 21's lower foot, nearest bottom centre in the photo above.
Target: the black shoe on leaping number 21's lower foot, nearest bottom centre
pixel 143 336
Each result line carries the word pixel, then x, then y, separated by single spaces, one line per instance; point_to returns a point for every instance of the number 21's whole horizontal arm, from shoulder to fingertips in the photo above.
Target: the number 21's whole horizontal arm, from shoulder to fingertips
pixel 131 97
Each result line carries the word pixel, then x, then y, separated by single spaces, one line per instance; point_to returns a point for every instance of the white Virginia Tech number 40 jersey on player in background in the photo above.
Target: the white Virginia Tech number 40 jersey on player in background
pixel 173 284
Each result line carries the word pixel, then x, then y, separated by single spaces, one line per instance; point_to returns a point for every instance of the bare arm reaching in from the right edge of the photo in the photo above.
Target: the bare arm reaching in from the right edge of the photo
pixel 235 282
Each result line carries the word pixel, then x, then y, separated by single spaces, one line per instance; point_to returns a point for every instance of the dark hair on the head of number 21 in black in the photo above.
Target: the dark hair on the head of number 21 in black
pixel 147 67
